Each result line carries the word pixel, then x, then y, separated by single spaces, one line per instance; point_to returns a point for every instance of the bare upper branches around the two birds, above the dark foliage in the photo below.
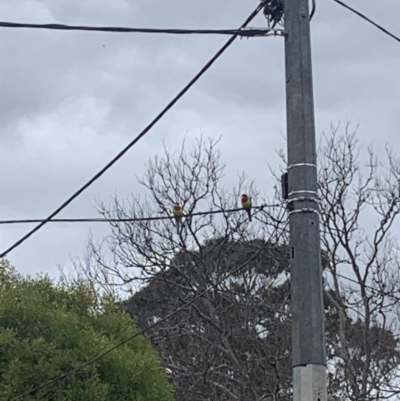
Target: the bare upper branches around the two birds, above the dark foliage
pixel 141 249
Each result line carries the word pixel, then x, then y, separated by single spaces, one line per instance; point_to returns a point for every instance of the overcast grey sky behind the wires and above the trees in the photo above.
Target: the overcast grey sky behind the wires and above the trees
pixel 71 100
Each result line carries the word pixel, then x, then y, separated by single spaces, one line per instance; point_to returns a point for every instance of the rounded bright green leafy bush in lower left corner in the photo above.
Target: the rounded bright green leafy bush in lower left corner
pixel 47 330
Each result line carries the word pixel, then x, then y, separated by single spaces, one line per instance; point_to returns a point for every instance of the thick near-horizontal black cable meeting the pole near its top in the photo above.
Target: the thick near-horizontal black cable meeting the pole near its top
pixel 61 27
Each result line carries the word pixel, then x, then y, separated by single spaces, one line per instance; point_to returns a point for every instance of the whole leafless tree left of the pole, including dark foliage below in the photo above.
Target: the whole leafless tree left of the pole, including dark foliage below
pixel 217 346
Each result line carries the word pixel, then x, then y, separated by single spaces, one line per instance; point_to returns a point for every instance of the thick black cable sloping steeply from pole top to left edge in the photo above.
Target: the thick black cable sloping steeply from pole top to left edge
pixel 138 137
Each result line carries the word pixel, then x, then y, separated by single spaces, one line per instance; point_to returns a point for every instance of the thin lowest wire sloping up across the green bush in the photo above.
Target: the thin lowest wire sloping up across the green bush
pixel 104 351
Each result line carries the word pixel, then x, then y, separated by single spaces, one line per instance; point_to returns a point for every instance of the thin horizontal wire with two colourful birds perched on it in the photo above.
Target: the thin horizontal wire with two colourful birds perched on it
pixel 131 220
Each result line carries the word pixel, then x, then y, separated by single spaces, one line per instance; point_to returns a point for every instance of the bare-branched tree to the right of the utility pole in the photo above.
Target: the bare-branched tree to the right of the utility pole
pixel 359 205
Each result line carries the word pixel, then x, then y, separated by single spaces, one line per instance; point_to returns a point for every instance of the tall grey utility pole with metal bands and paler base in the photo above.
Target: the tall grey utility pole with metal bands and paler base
pixel 308 335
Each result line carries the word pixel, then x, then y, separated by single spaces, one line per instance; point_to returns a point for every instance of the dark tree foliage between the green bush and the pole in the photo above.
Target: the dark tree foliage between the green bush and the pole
pixel 231 343
